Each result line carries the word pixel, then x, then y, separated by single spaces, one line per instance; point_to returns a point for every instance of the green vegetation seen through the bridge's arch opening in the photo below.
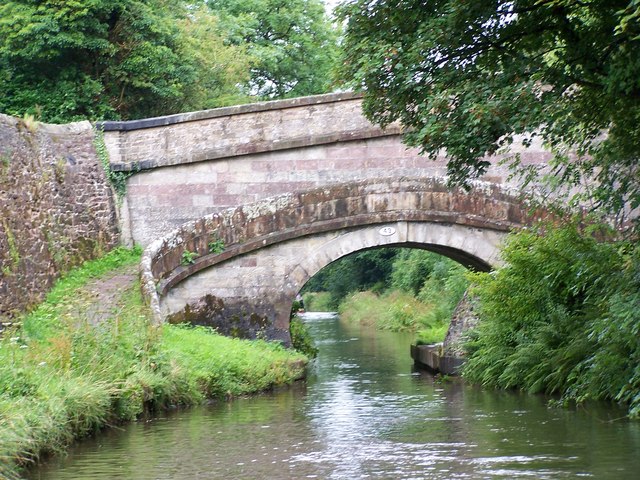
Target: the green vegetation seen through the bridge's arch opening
pixel 392 288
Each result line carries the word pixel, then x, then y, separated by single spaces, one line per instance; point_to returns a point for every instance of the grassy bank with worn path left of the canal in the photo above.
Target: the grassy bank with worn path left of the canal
pixel 72 369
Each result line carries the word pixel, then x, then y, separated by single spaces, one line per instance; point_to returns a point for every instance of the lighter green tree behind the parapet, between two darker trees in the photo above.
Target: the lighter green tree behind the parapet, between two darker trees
pixel 292 42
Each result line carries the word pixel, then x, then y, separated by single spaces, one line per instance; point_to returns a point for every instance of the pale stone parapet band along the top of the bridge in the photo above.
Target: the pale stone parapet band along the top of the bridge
pixel 234 131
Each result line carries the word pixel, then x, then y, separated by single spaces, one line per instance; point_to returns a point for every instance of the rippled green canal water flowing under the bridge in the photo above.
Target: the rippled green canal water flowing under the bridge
pixel 364 413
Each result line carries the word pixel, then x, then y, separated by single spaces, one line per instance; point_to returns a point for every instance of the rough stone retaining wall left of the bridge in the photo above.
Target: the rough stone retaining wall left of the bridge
pixel 56 207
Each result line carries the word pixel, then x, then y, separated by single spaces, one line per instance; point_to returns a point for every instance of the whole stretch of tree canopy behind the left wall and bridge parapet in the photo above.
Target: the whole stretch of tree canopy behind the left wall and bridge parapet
pixel 124 59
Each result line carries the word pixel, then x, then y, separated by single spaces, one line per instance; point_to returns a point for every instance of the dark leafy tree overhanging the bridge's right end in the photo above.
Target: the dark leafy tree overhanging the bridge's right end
pixel 469 77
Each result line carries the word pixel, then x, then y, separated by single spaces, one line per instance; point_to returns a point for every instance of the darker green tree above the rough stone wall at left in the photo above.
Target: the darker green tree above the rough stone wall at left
pixel 112 59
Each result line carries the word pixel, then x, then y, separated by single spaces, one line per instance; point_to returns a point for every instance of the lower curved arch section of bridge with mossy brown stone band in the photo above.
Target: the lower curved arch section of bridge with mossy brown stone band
pixel 274 246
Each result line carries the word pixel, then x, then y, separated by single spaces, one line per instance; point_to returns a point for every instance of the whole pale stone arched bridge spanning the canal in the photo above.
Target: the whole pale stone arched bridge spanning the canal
pixel 288 187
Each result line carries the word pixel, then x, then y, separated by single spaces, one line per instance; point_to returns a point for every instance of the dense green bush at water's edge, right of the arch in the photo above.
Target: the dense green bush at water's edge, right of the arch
pixel 561 317
